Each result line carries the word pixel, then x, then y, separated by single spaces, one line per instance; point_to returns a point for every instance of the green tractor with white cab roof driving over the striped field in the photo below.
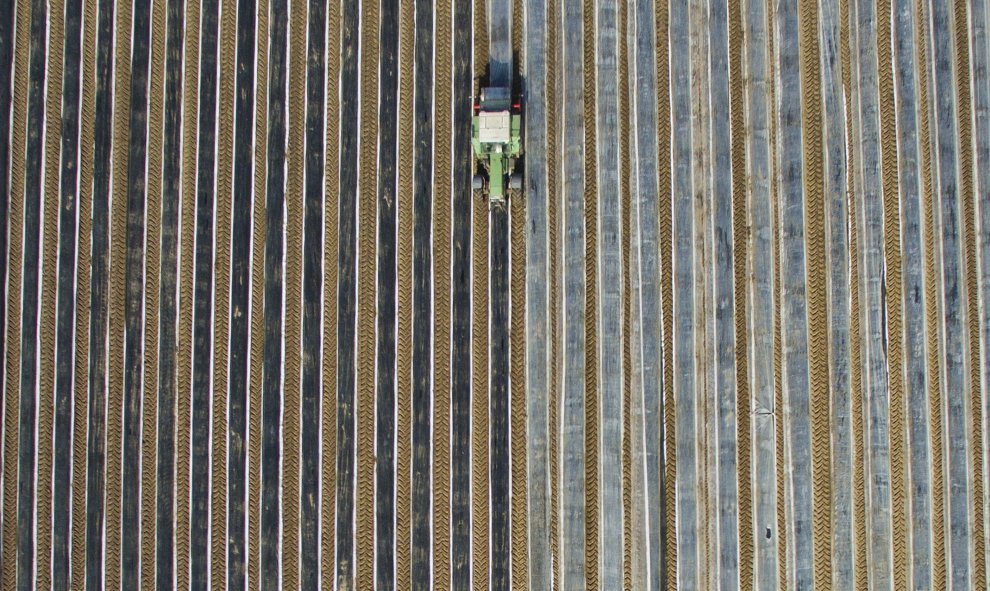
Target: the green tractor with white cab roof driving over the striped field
pixel 496 134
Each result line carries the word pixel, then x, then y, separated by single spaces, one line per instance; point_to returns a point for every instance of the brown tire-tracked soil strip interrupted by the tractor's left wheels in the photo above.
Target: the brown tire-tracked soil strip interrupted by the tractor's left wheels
pixel 479 341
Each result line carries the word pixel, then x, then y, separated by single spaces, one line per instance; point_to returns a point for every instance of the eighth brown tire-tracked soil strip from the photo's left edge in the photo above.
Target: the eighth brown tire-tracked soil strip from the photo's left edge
pixel 257 302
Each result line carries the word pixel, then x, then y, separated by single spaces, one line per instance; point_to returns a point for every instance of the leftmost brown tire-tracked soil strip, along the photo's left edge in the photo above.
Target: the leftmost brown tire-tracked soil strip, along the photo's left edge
pixel 14 281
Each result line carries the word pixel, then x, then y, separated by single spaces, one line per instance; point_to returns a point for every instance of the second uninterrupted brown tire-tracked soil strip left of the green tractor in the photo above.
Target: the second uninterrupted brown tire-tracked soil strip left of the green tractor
pixel 403 468
